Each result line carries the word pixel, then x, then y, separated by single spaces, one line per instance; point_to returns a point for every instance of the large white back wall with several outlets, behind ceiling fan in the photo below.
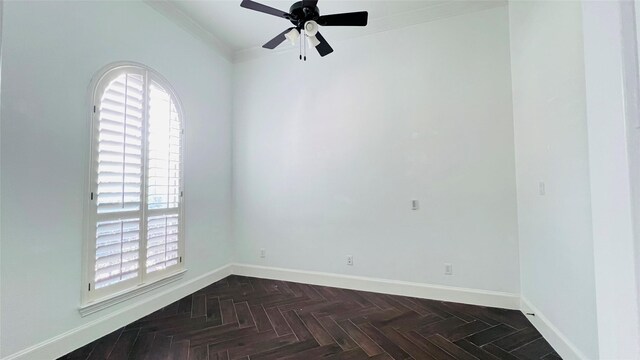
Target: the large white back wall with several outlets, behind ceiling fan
pixel 329 153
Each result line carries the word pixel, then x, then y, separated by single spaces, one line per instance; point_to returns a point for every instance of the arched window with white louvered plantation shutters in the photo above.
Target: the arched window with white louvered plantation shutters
pixel 136 182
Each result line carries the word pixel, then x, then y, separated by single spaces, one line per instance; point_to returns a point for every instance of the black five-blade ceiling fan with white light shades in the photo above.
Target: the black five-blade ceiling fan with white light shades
pixel 305 16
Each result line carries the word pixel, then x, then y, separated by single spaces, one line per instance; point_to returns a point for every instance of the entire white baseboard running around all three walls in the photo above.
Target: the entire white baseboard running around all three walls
pixel 72 339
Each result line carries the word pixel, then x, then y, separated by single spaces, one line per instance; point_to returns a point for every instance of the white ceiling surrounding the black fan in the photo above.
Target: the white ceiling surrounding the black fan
pixel 239 33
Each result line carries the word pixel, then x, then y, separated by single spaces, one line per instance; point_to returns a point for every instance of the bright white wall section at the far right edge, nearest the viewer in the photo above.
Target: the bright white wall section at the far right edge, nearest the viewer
pixel 614 142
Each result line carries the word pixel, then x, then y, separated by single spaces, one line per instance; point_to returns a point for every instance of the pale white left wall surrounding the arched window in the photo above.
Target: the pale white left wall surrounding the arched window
pixel 50 52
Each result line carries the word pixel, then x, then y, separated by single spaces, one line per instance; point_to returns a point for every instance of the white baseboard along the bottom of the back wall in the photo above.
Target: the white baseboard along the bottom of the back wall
pixel 404 288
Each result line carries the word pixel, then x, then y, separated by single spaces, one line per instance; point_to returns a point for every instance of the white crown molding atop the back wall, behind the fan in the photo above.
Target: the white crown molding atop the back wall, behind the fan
pixel 434 12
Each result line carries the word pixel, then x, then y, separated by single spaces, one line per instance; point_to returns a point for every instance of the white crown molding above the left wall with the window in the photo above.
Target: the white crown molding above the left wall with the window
pixel 171 12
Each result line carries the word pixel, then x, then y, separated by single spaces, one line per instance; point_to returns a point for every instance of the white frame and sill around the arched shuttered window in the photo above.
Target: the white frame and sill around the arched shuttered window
pixel 96 299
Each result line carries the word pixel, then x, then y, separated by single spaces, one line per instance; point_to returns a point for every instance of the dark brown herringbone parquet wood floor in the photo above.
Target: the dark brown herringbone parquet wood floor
pixel 250 318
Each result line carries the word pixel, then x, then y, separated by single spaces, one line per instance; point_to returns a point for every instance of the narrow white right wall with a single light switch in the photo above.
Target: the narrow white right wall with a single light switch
pixel 549 107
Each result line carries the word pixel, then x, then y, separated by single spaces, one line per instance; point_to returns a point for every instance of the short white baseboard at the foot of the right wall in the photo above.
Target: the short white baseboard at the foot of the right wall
pixel 561 344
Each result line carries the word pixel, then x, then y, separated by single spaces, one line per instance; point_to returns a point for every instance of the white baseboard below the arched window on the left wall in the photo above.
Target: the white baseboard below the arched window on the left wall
pixel 72 339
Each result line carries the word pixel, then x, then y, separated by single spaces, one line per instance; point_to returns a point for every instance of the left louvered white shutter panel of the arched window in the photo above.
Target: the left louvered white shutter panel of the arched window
pixel 119 180
